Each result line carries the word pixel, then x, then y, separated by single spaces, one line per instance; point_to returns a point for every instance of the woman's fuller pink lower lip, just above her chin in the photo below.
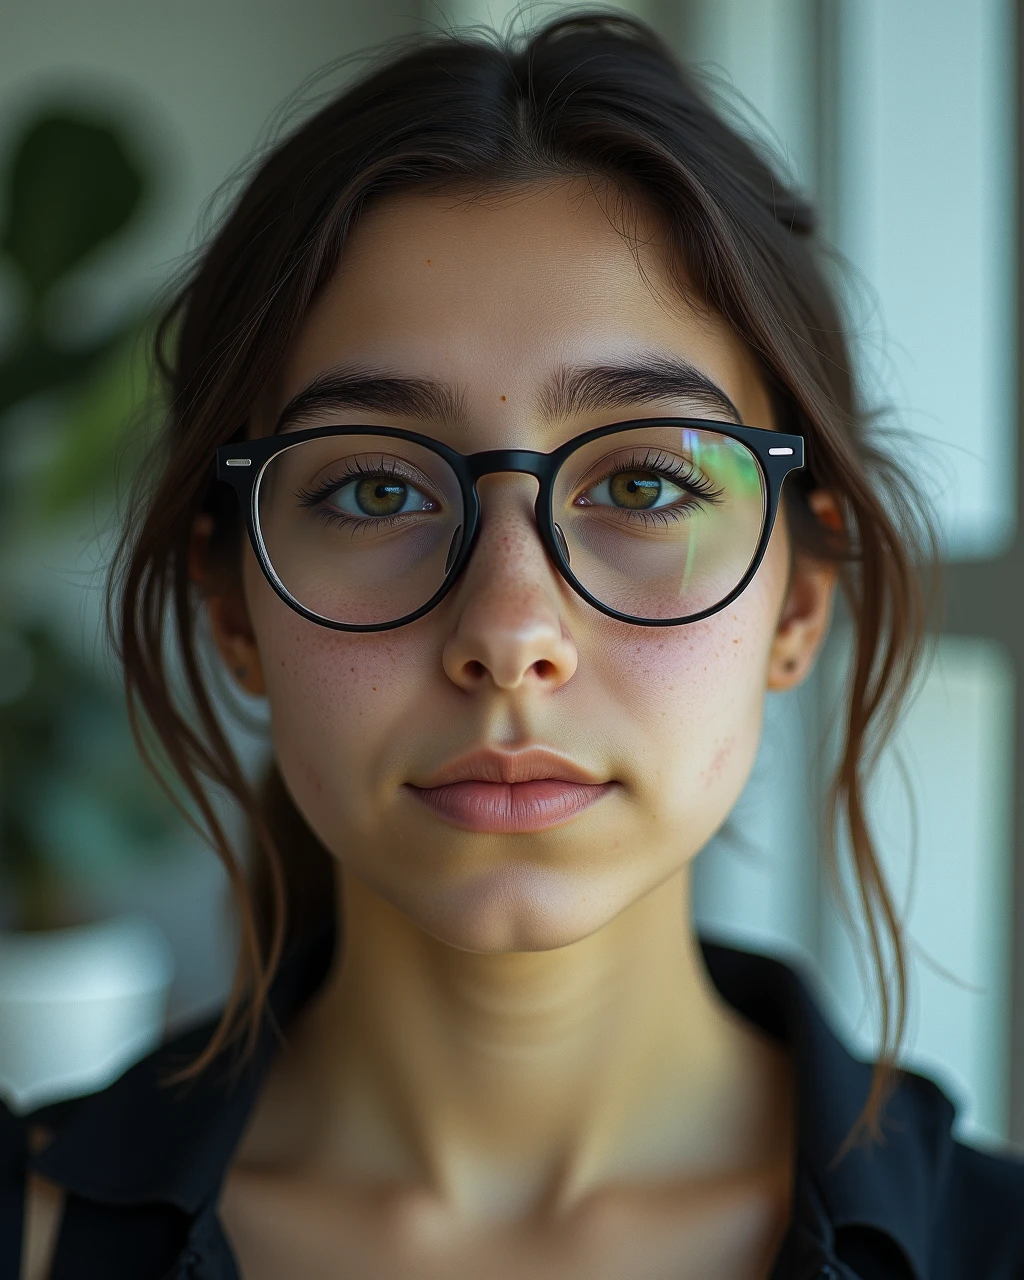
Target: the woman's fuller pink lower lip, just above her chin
pixel 511 807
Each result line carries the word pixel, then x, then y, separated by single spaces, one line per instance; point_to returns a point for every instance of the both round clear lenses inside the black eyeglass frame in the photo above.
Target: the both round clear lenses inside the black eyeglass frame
pixel 659 523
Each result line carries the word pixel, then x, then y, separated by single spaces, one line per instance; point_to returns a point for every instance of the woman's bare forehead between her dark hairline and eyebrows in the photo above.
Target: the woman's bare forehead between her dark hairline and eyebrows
pixel 492 292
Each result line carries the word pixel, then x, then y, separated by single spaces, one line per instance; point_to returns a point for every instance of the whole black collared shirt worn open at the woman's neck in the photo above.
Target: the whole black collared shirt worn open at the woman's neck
pixel 143 1164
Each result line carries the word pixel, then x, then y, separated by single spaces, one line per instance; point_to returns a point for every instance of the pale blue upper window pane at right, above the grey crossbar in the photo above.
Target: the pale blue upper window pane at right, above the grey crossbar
pixel 925 211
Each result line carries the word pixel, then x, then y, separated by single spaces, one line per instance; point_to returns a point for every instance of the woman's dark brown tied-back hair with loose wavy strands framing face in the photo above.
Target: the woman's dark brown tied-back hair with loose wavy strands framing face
pixel 591 95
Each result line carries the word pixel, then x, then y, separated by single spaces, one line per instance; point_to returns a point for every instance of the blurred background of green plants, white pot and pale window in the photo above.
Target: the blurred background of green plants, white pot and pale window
pixel 121 130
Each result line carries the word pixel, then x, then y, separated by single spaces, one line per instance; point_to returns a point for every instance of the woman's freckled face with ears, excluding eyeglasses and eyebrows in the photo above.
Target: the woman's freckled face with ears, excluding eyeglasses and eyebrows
pixel 493 299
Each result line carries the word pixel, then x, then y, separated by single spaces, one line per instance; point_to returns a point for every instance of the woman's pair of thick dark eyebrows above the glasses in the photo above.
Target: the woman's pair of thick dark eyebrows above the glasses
pixel 569 392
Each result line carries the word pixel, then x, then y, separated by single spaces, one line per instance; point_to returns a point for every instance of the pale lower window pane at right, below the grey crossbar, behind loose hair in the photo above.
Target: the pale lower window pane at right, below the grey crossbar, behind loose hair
pixel 943 815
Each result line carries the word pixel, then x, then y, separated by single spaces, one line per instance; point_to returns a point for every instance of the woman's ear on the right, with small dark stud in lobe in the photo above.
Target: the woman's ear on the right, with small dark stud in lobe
pixel 808 609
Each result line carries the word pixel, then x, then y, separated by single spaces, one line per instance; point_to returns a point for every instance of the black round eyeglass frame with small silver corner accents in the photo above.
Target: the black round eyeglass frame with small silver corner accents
pixel 244 464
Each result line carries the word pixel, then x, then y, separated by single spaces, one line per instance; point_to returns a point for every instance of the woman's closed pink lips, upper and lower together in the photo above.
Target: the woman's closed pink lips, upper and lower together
pixel 510 793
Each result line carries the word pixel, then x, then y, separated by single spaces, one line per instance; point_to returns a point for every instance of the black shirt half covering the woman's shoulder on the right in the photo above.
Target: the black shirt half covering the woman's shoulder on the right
pixel 953 1212
